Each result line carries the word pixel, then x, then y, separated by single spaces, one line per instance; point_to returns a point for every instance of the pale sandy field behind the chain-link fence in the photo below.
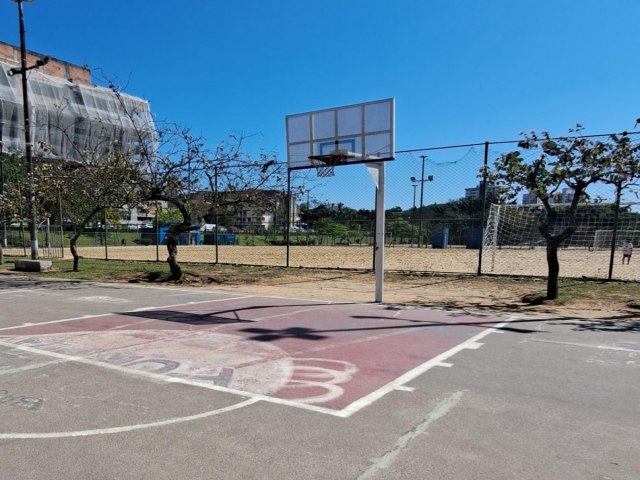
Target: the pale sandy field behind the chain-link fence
pixel 573 263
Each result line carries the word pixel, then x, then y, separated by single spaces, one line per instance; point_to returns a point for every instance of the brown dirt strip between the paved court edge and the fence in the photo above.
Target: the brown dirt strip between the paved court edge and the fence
pixel 452 292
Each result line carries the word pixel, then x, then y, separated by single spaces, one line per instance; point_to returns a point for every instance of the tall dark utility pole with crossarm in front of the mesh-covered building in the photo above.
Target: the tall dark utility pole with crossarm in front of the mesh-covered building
pixel 33 224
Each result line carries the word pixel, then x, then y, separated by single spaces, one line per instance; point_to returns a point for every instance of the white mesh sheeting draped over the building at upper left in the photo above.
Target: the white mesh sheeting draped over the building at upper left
pixel 68 120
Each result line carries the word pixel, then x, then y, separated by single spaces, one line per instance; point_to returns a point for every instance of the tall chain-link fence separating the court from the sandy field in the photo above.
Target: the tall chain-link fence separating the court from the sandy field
pixel 442 214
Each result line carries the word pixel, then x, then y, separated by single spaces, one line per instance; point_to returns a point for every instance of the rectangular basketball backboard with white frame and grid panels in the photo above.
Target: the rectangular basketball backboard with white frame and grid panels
pixel 361 133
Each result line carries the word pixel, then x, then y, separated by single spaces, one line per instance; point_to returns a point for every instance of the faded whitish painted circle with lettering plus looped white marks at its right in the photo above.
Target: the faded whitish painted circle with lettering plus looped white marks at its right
pixel 207 358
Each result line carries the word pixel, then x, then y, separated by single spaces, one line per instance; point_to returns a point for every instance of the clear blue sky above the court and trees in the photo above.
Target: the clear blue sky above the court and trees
pixel 461 71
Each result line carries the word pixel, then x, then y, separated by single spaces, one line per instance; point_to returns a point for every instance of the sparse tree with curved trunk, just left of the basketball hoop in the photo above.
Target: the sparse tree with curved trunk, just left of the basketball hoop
pixel 180 169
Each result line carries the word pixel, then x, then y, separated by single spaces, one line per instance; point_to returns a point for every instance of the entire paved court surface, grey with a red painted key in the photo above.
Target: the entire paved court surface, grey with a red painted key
pixel 119 381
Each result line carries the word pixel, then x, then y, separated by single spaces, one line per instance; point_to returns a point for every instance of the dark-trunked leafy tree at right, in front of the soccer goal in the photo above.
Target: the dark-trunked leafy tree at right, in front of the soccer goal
pixel 575 162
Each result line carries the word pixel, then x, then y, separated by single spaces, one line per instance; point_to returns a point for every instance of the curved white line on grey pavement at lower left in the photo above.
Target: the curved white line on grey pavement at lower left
pixel 126 428
